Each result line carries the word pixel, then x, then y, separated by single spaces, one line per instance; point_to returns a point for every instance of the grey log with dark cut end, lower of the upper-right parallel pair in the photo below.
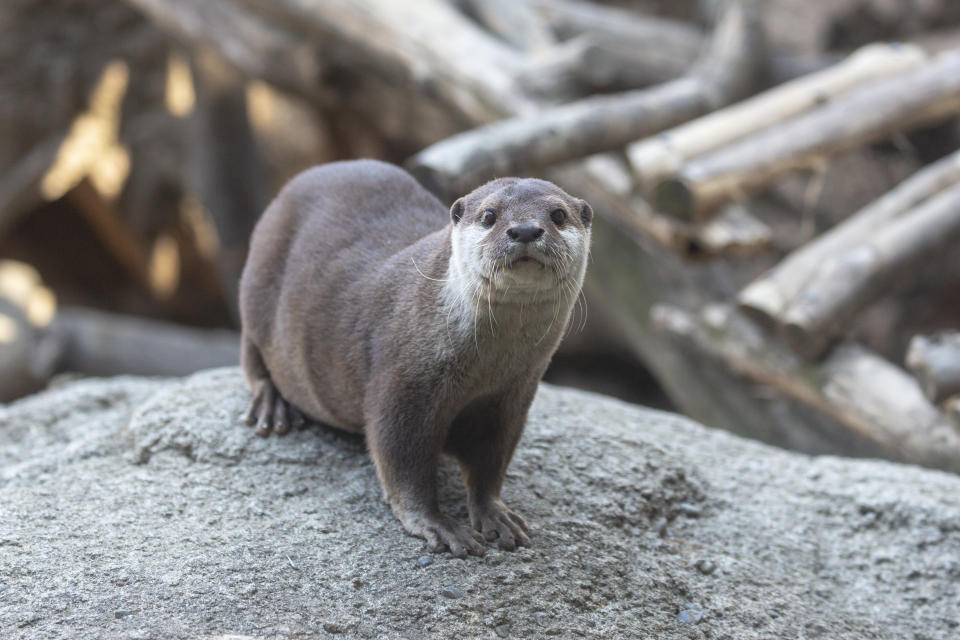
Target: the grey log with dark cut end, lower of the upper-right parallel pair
pixel 901 102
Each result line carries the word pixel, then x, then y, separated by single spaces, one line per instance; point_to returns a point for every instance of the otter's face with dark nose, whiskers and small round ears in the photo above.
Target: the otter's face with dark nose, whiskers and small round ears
pixel 521 235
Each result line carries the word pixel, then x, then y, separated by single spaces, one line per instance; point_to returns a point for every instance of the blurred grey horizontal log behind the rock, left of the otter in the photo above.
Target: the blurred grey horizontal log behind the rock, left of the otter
pixel 104 344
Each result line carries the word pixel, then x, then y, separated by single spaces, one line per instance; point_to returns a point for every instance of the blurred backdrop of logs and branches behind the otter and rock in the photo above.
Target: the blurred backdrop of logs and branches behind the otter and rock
pixel 777 216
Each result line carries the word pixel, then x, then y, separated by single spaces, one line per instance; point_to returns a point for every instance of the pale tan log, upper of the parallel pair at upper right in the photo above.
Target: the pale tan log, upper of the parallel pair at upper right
pixel 658 158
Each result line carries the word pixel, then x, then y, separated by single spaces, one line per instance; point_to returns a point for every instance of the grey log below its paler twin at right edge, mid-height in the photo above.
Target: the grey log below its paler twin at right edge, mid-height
pixel 846 283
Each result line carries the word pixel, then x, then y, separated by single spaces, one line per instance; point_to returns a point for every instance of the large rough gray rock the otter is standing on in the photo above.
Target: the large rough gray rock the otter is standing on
pixel 144 509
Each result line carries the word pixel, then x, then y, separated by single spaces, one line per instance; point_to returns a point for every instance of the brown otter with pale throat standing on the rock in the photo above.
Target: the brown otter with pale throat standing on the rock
pixel 366 306
